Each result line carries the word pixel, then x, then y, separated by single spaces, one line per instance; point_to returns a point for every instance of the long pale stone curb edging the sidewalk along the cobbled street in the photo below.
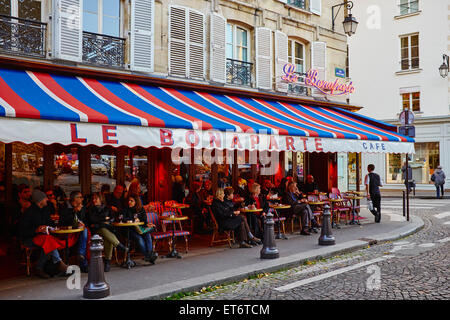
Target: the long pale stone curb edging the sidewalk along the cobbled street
pixel 239 274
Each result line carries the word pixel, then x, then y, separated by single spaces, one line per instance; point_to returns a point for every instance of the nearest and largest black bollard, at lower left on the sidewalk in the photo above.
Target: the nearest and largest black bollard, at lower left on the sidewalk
pixel 96 287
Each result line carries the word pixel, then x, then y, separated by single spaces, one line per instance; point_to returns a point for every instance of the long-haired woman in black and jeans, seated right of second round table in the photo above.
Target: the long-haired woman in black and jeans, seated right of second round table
pixel 141 236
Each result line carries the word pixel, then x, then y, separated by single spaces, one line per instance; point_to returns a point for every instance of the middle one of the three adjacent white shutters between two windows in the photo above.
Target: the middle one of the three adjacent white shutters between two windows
pixel 196 46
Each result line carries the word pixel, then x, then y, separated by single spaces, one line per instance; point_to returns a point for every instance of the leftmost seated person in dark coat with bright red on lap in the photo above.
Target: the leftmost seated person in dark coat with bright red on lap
pixel 36 222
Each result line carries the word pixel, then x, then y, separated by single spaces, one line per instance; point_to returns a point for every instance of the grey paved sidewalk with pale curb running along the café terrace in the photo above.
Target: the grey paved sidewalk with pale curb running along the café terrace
pixel 204 267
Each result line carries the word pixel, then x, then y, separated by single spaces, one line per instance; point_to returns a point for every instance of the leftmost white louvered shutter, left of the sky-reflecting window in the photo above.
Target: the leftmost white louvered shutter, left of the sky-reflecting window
pixel 68 29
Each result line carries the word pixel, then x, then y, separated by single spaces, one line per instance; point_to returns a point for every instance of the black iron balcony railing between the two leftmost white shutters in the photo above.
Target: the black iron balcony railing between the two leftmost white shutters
pixel 103 50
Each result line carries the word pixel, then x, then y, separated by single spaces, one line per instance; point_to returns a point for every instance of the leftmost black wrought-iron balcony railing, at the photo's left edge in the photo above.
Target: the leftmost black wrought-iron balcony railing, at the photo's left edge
pixel 22 36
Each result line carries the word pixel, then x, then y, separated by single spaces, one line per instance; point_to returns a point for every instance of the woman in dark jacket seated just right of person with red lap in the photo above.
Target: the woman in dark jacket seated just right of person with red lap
pixel 74 215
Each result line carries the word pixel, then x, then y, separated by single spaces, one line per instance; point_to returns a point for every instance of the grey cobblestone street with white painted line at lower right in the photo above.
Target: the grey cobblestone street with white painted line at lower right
pixel 415 267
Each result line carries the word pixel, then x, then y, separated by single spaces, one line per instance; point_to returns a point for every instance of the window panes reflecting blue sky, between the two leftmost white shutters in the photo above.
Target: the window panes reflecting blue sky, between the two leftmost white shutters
pixel 102 17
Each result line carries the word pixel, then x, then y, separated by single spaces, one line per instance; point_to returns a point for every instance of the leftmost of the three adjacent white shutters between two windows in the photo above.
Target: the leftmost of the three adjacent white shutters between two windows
pixel 178 59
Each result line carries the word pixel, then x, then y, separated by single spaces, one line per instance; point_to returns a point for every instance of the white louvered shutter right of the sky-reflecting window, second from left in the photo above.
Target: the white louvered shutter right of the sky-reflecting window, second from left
pixel 142 35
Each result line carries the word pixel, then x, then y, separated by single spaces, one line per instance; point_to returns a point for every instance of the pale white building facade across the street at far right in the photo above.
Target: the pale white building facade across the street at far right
pixel 399 47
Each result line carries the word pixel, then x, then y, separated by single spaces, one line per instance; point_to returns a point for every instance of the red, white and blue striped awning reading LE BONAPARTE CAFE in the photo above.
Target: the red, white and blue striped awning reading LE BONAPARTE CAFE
pixel 51 108
